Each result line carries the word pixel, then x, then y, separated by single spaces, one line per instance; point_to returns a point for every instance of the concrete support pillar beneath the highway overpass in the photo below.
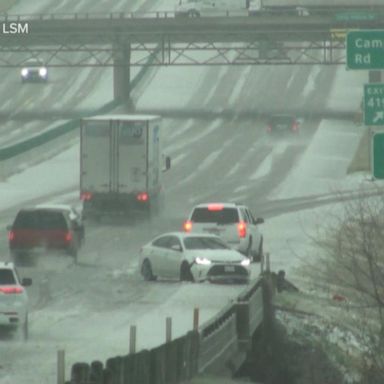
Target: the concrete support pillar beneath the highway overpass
pixel 121 71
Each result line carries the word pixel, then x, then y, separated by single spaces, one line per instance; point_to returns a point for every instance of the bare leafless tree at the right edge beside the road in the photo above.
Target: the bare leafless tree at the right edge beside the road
pixel 352 258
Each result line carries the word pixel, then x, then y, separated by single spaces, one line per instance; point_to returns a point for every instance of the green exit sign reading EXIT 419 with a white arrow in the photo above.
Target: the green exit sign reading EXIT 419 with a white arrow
pixel 374 104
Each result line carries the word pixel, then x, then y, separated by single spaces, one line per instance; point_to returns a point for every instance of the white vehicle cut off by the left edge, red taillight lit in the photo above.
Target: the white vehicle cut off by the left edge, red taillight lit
pixel 13 299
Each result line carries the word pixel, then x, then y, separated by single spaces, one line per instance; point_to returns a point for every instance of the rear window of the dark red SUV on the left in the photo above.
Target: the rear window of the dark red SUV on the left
pixel 43 219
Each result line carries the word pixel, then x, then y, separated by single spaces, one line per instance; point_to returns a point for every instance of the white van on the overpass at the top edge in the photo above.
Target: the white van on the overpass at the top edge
pixel 197 8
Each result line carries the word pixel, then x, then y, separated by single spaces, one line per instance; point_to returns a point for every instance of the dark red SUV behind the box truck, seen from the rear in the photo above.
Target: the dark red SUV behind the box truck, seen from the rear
pixel 37 229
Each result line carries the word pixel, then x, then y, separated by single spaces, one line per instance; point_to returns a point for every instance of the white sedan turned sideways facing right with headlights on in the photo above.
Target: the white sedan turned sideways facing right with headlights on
pixel 192 257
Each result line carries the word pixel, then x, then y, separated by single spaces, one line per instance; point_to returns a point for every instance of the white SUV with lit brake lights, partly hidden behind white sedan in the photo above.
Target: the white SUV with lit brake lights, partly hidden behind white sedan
pixel 234 223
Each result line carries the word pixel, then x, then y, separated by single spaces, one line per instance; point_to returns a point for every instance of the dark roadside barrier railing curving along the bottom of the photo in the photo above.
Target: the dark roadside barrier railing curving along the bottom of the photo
pixel 217 344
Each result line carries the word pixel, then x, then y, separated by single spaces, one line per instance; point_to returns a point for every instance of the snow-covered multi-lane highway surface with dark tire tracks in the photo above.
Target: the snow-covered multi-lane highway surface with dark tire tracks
pixel 92 304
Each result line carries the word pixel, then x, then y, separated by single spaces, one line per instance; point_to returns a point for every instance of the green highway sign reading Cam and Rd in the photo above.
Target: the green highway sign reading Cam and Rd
pixel 365 49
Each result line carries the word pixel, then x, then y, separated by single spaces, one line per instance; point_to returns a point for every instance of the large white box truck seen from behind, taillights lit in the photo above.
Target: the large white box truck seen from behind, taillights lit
pixel 121 164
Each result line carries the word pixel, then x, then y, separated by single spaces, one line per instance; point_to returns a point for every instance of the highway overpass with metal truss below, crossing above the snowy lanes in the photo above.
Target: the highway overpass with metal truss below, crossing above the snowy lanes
pixel 125 40
